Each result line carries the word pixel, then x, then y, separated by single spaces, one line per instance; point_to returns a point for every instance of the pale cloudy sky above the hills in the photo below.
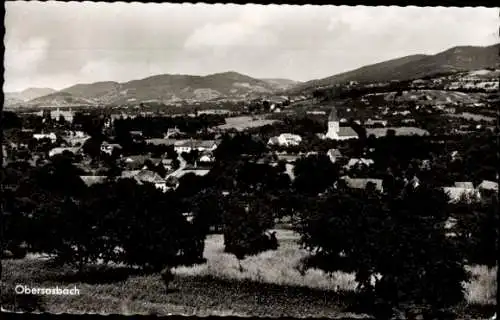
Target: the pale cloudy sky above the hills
pixel 56 45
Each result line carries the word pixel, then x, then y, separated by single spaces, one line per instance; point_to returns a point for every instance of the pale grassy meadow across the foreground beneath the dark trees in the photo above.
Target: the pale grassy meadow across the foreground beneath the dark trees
pixel 270 285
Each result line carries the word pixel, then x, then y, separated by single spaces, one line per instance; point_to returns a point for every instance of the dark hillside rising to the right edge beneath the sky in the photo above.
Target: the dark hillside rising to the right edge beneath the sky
pixel 456 59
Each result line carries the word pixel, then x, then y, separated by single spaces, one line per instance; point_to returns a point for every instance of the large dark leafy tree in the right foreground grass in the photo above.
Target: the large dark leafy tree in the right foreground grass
pixel 398 236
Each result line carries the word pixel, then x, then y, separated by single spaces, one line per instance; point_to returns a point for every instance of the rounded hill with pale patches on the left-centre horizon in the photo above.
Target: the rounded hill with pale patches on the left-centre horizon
pixel 165 88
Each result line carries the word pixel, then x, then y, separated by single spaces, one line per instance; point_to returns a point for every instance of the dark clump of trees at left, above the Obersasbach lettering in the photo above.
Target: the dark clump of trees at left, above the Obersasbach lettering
pixel 118 221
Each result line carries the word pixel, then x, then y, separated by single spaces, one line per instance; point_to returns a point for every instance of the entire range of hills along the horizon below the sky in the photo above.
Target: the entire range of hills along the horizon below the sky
pixel 232 85
